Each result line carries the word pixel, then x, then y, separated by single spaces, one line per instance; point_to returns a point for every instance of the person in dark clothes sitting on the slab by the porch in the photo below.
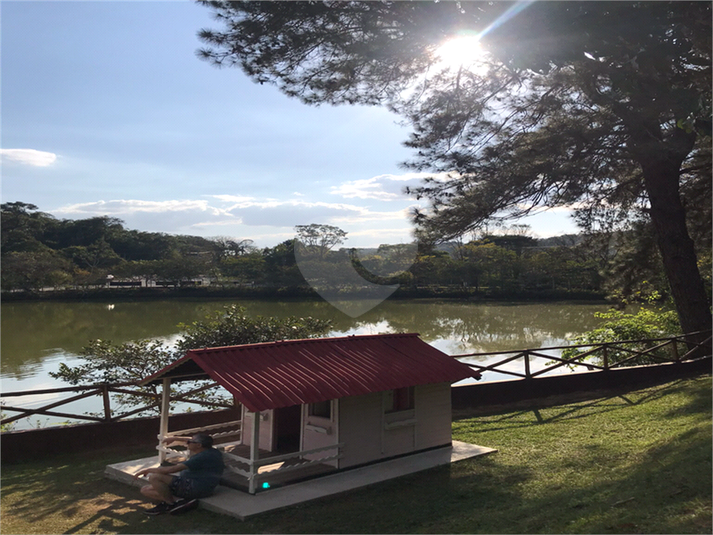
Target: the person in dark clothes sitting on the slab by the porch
pixel 198 477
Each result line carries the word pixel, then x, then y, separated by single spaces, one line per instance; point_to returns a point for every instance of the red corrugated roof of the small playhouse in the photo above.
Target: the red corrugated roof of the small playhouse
pixel 292 372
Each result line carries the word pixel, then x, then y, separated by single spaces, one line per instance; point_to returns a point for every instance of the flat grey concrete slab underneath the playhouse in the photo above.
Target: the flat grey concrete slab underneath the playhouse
pixel 243 505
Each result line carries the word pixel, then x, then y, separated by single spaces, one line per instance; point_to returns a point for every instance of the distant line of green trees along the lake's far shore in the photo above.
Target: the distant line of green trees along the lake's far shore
pixel 40 251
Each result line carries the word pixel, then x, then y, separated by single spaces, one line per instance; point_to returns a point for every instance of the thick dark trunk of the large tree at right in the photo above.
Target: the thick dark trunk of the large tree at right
pixel 661 177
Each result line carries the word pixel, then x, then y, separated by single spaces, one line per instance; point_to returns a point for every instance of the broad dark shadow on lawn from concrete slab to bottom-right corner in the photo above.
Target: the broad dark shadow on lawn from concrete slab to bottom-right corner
pixel 484 495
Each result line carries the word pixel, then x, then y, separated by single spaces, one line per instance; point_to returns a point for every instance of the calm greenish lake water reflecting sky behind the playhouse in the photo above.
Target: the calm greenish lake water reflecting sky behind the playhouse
pixel 38 336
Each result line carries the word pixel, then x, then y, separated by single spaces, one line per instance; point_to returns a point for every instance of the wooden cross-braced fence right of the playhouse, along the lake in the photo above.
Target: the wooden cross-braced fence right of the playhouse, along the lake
pixel 609 355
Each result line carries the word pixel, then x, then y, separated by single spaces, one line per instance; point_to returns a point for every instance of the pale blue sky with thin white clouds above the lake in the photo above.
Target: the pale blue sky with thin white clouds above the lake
pixel 107 111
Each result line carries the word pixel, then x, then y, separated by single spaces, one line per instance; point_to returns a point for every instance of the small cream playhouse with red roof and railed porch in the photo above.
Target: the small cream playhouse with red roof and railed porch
pixel 317 405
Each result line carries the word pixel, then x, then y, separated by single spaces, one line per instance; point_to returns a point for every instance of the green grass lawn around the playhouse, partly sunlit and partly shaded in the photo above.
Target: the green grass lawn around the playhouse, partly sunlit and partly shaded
pixel 633 463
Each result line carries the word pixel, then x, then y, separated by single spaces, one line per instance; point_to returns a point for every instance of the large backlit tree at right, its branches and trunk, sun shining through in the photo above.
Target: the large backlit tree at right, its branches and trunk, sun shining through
pixel 602 106
